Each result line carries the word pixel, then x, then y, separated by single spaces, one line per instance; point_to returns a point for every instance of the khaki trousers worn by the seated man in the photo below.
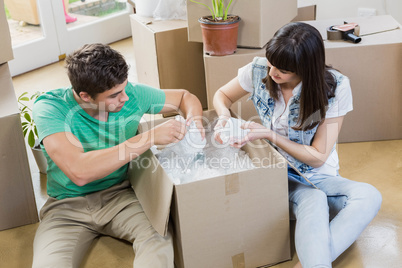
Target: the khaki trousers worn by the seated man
pixel 69 226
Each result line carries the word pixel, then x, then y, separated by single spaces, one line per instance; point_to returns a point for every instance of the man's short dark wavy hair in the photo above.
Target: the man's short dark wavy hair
pixel 96 68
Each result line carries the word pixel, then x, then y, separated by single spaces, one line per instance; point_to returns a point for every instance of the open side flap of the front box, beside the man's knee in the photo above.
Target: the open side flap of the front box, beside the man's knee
pixel 153 189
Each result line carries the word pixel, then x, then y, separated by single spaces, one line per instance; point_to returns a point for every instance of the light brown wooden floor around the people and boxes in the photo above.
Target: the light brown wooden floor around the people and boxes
pixel 378 163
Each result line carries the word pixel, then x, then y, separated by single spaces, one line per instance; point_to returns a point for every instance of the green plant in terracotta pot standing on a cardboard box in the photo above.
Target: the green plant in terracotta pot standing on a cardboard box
pixel 220 29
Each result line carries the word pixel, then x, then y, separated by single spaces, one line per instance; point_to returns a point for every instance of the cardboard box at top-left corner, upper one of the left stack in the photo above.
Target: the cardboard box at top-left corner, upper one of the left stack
pixel 6 51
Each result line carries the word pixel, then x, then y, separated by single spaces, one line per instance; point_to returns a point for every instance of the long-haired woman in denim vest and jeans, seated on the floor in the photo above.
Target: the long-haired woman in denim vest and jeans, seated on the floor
pixel 302 103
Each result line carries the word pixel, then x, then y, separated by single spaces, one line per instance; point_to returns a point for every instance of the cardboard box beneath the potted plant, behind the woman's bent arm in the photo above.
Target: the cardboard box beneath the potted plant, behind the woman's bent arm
pixel 220 70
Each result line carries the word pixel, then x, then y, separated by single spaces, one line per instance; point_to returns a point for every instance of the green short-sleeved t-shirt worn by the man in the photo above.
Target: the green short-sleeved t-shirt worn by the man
pixel 57 111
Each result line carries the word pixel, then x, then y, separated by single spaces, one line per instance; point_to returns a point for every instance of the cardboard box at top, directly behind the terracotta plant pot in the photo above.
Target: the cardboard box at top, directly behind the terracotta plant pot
pixel 260 19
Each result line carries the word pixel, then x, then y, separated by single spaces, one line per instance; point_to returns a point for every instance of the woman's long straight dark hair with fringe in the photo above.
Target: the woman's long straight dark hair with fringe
pixel 298 48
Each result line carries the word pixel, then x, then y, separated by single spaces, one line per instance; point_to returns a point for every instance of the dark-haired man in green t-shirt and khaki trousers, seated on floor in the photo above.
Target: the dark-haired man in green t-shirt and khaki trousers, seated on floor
pixel 89 135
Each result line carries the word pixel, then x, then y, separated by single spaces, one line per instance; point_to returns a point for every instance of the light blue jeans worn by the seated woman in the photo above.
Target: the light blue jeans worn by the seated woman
pixel 330 219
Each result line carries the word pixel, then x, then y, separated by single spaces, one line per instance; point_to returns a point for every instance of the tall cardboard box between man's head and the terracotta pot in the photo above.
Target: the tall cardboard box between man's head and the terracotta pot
pixel 165 59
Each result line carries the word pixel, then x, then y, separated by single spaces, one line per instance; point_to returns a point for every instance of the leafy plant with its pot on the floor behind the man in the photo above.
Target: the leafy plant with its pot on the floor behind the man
pixel 29 129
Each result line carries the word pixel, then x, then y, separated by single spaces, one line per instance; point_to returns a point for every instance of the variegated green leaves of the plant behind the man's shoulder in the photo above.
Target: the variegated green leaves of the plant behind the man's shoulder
pixel 27 122
